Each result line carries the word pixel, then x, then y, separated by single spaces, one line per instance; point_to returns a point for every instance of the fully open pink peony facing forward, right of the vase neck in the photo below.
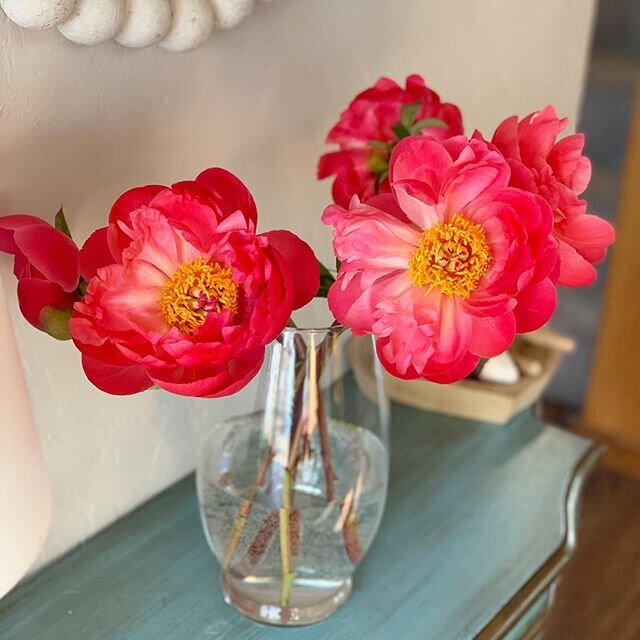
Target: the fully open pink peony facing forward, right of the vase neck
pixel 446 268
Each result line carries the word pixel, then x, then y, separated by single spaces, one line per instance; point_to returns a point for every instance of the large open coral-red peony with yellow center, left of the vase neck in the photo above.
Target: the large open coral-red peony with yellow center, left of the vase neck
pixel 194 295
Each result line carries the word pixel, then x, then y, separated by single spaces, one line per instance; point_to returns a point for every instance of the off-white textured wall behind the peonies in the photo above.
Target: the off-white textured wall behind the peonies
pixel 78 126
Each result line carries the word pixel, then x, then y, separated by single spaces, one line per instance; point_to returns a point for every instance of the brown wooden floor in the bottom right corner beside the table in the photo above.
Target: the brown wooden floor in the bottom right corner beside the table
pixel 599 596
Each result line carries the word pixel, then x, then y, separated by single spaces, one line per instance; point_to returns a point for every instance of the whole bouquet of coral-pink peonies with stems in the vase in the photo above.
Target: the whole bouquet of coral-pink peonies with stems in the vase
pixel 446 247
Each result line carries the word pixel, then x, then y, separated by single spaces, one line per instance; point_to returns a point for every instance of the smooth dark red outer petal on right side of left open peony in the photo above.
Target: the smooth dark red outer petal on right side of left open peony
pixel 302 263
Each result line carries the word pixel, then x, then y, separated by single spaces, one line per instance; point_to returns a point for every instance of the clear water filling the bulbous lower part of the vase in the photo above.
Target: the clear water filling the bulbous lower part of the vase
pixel 247 525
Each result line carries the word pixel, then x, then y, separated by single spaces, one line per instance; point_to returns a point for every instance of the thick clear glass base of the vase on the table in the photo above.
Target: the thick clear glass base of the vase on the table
pixel 260 599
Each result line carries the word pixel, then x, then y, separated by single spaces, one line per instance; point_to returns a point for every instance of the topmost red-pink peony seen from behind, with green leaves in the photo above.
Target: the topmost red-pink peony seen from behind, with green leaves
pixel 370 127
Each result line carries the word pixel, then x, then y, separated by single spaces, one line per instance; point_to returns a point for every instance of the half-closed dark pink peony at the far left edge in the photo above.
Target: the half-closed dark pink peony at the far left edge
pixel 46 264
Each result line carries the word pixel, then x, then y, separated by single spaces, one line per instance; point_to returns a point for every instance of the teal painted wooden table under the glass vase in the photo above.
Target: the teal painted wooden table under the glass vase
pixel 479 522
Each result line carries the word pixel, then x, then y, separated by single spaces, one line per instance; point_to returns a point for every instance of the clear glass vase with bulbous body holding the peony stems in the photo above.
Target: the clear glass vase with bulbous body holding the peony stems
pixel 292 493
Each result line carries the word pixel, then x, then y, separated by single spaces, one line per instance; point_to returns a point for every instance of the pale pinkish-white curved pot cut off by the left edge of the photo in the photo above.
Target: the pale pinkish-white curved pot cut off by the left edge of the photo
pixel 25 498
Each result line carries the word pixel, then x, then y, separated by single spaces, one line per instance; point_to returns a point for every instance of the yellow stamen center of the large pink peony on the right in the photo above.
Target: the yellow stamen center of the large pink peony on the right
pixel 452 256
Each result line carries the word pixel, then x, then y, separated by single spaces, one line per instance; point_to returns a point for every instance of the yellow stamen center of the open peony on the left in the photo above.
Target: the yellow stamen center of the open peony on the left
pixel 196 289
